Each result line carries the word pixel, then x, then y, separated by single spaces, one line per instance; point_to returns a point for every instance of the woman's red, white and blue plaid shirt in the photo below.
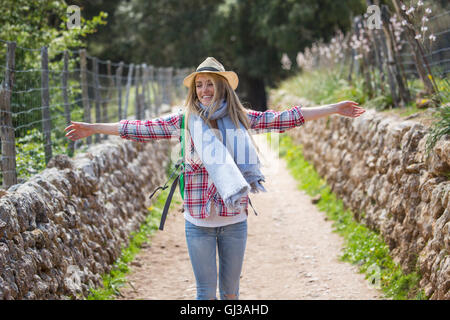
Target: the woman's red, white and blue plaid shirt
pixel 199 189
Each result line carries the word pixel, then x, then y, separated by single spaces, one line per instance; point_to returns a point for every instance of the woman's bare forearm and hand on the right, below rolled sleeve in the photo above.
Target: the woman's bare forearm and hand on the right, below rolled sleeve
pixel 343 108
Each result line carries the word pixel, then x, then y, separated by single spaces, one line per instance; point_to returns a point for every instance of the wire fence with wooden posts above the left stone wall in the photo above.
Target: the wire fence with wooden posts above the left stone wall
pixel 42 91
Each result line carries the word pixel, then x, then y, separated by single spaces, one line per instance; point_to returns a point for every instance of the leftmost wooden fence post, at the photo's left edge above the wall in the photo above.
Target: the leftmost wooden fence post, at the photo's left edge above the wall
pixel 6 127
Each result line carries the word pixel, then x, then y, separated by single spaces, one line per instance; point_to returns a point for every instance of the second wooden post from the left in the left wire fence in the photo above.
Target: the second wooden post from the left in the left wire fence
pixel 45 98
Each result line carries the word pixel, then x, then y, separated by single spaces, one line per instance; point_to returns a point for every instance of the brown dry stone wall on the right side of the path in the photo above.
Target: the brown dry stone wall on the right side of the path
pixel 378 166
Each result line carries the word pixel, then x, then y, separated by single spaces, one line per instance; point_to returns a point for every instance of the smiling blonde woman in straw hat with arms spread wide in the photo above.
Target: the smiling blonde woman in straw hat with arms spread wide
pixel 221 166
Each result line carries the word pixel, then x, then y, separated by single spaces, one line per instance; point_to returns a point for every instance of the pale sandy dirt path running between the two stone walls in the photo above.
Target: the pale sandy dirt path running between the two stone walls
pixel 291 252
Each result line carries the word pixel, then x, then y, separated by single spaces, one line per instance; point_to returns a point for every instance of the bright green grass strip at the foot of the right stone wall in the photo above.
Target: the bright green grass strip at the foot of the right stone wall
pixel 363 246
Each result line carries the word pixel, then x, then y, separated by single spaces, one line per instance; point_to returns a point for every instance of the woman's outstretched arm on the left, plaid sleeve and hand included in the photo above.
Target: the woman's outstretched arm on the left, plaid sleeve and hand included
pixel 164 127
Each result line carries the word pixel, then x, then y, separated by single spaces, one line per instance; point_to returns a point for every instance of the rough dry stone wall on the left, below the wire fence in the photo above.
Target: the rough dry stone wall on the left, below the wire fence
pixel 64 228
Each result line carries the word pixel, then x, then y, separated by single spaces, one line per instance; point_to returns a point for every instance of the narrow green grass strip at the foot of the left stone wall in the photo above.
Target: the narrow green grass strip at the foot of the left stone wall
pixel 116 278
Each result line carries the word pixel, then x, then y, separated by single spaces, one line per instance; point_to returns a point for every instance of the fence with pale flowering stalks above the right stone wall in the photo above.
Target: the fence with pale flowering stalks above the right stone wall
pixel 409 49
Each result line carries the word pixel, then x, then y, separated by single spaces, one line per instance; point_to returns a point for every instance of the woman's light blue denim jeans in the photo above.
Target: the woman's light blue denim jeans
pixel 230 241
